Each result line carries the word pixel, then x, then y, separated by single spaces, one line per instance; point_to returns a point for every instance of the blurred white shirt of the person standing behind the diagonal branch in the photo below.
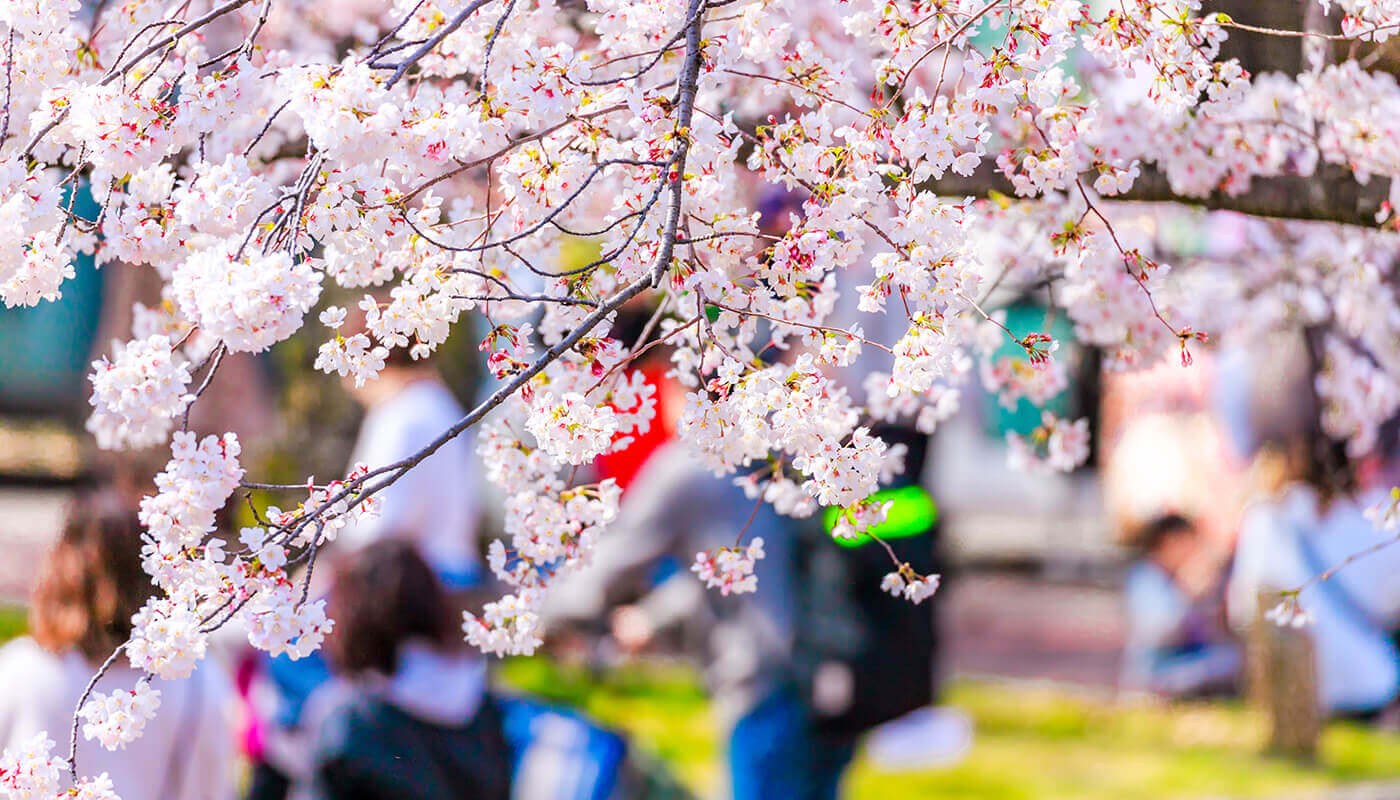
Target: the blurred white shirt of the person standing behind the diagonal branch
pixel 436 505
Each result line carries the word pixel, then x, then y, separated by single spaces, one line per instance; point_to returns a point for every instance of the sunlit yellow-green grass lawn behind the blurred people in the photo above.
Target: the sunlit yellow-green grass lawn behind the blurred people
pixel 1032 743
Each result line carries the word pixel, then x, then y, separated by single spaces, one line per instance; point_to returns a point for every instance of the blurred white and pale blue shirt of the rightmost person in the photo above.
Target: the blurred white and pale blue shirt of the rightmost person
pixel 1359 668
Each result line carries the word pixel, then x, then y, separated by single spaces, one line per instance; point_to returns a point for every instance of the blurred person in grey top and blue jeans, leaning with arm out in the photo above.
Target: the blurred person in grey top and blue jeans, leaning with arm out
pixel 677 508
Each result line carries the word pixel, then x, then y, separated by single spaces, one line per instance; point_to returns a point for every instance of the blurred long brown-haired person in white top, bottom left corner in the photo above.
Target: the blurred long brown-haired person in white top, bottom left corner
pixel 80 612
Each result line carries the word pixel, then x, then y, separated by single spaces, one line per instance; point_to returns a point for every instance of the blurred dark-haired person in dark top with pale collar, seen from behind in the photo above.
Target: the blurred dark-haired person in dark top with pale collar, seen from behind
pixel 409 712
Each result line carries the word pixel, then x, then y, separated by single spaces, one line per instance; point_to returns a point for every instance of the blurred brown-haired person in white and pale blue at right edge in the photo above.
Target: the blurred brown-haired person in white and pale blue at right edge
pixel 1290 539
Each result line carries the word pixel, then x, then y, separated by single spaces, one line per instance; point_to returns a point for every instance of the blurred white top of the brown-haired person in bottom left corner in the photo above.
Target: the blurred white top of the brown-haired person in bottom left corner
pixel 187 752
